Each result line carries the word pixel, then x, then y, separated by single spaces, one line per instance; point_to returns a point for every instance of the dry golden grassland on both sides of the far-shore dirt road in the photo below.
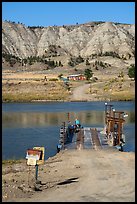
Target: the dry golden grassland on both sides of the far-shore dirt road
pixel 29 86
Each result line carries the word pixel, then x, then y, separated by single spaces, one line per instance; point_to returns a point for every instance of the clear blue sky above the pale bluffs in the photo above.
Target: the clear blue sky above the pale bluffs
pixel 67 13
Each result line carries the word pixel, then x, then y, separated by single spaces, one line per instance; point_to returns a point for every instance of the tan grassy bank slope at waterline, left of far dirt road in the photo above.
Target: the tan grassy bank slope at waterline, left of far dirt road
pixel 34 90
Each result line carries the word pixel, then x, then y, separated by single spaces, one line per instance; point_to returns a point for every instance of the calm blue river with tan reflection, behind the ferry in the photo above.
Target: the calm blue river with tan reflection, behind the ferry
pixel 27 125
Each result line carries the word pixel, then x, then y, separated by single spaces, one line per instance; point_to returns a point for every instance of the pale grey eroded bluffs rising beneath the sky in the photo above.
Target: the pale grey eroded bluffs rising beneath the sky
pixel 87 40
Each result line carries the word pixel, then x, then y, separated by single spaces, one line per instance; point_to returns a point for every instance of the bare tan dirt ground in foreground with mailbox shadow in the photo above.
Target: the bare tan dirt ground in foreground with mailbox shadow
pixel 85 175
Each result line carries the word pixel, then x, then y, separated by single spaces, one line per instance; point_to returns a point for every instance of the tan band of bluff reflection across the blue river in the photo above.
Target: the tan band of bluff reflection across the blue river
pixel 49 119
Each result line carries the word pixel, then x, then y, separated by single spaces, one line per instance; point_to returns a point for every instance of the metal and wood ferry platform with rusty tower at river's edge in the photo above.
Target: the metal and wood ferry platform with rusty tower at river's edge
pixel 78 137
